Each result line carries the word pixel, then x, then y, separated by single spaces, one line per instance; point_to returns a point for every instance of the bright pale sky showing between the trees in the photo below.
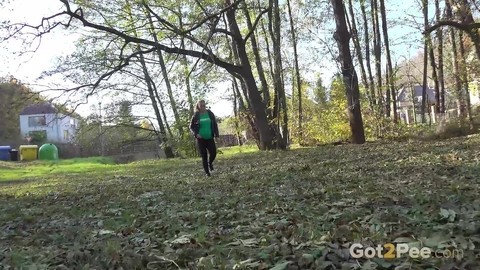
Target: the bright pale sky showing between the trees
pixel 27 68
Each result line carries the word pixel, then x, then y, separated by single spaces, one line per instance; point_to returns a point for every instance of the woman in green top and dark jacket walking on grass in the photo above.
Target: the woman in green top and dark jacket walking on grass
pixel 204 127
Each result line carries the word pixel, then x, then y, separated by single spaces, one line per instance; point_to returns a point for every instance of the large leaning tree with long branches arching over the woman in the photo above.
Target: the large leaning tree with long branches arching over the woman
pixel 97 16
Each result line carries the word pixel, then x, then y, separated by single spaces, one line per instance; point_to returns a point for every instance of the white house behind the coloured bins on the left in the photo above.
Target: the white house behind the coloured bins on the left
pixel 45 120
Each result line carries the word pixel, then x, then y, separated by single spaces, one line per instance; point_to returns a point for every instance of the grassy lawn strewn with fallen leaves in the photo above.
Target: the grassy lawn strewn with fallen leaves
pixel 297 209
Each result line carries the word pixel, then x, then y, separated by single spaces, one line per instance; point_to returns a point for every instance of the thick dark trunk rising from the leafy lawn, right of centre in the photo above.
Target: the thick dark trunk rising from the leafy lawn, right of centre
pixel 342 36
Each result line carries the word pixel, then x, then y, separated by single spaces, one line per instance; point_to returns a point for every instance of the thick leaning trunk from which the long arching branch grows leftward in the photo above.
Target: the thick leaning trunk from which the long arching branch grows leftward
pixel 259 109
